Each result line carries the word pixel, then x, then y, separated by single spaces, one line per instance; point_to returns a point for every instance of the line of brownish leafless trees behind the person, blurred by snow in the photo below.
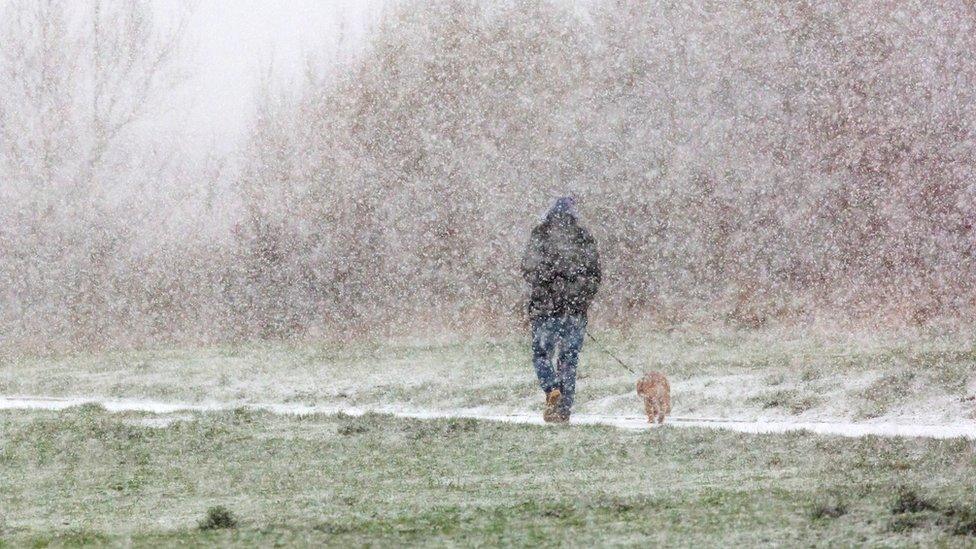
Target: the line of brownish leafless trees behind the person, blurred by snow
pixel 738 162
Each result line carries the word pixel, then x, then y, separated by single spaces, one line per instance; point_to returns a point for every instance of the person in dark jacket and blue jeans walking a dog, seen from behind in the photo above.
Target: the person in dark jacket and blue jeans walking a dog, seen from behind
pixel 562 267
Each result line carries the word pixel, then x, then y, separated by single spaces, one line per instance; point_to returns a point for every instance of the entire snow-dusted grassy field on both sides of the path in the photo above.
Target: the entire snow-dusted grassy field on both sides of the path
pixel 85 476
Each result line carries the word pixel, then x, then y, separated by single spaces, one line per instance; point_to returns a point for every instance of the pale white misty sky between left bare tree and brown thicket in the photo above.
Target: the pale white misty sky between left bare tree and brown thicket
pixel 233 42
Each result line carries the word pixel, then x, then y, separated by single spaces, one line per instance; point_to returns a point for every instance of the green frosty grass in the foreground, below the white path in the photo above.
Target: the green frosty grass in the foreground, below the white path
pixel 84 476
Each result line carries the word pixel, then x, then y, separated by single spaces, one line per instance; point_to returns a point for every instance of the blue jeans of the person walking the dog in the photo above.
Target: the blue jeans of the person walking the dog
pixel 556 344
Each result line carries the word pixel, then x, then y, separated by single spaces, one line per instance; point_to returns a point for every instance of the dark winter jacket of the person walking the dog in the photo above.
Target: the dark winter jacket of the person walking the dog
pixel 562 266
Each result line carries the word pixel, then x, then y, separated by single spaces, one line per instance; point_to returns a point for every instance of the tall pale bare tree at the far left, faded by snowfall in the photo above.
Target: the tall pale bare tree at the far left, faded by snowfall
pixel 81 85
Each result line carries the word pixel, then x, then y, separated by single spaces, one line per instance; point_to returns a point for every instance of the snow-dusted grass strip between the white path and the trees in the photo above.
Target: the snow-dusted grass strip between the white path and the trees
pixel 919 375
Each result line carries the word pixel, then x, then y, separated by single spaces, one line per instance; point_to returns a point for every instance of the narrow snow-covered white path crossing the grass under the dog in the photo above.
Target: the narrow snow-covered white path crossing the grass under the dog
pixel 960 429
